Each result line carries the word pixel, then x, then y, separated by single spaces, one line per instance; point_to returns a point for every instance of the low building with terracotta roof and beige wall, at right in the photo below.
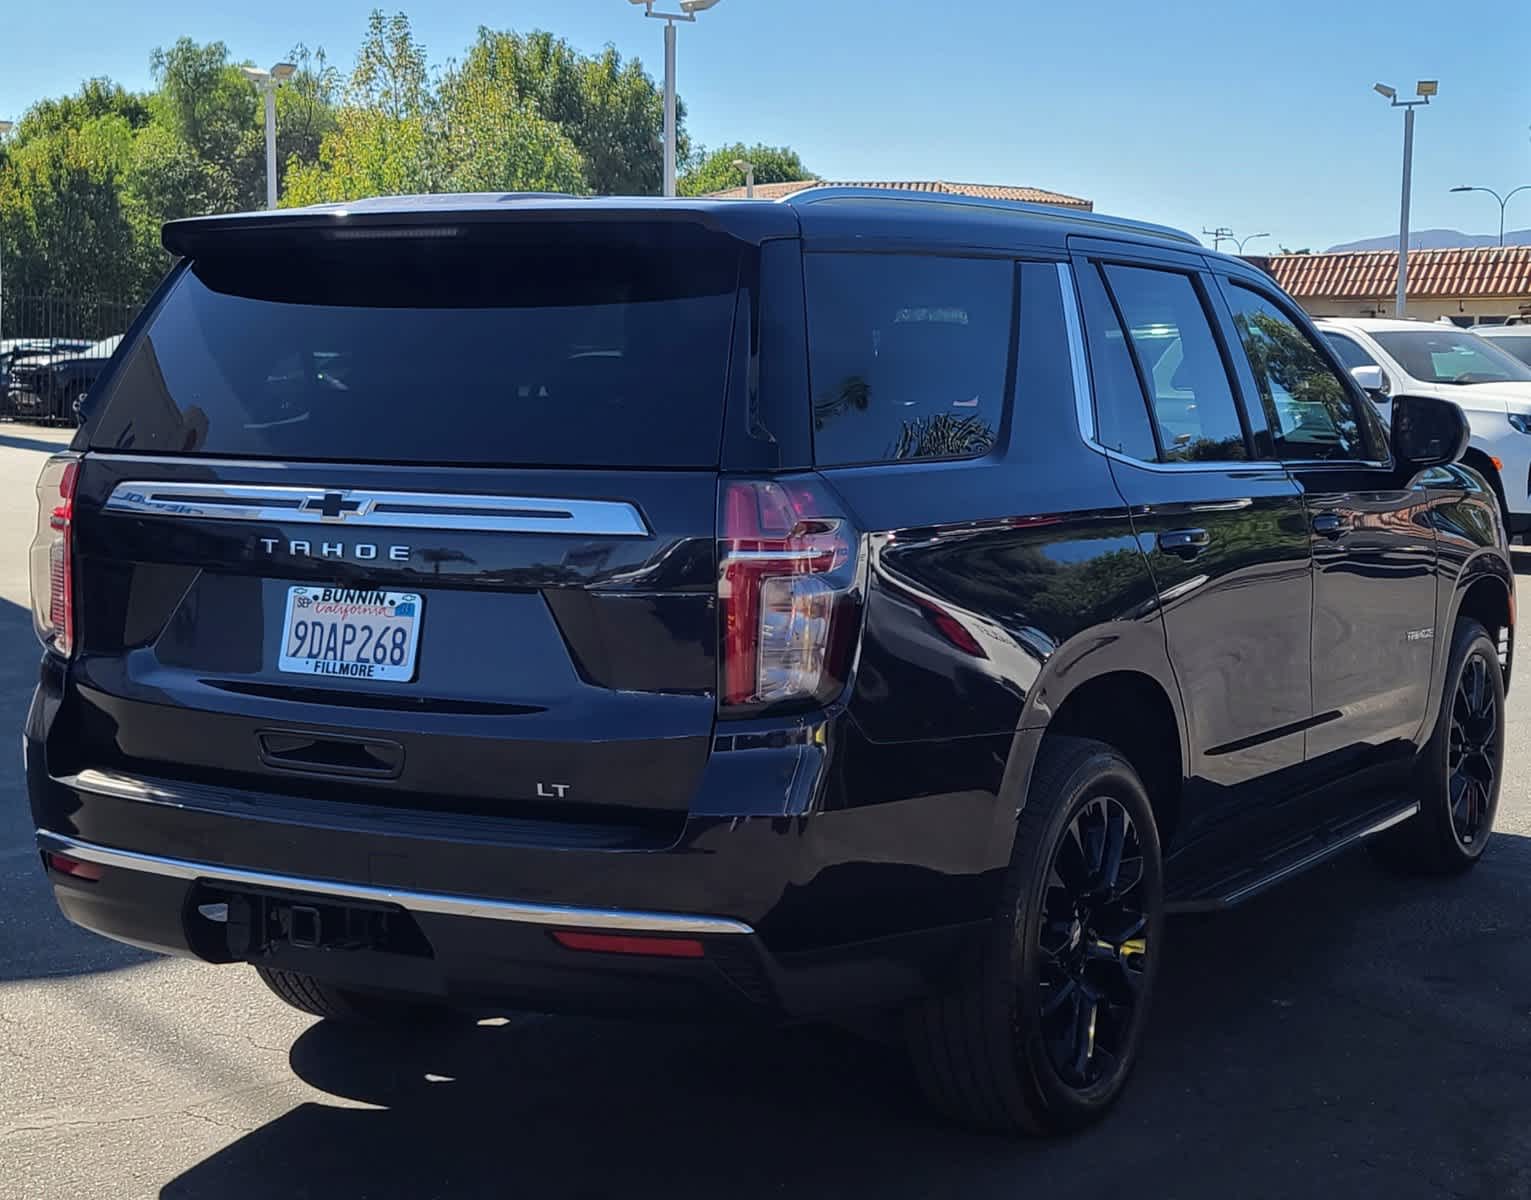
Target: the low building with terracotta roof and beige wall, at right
pixel 1467 285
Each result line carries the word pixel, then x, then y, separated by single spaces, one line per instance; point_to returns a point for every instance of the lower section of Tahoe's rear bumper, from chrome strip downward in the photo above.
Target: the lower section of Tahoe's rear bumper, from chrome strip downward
pixel 504 953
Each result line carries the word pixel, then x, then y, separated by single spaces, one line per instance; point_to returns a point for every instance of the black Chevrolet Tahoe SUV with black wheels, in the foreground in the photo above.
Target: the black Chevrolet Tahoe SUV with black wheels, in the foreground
pixel 860 602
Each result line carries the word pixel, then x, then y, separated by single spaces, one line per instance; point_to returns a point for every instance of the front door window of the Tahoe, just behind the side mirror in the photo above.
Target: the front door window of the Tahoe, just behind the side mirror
pixel 1311 411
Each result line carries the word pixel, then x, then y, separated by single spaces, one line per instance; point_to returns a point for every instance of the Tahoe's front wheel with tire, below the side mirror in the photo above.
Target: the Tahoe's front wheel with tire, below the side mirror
pixel 1460 769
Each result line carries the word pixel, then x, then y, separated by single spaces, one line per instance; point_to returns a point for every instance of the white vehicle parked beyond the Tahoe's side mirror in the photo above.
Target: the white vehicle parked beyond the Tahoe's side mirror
pixel 1492 386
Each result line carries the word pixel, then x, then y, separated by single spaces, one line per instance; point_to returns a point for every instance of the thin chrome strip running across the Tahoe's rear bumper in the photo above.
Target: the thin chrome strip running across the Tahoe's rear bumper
pixel 517 911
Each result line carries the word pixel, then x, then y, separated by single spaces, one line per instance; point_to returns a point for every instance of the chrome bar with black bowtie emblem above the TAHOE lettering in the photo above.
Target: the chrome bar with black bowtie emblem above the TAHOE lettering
pixel 367 509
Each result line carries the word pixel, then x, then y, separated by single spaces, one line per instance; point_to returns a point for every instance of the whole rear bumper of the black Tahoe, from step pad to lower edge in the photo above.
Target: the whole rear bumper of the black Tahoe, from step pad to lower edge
pixel 797 916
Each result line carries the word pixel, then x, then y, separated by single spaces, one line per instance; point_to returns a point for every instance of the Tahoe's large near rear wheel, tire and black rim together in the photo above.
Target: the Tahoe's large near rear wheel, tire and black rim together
pixel 1002 1052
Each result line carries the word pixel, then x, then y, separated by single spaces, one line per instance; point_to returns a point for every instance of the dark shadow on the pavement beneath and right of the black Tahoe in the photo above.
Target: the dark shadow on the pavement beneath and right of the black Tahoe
pixel 1368 1032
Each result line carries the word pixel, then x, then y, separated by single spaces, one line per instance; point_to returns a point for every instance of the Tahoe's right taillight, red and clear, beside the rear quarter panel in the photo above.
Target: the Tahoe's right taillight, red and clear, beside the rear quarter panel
pixel 788 593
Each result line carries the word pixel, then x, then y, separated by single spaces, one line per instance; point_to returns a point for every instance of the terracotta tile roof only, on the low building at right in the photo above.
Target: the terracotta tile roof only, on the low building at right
pixel 1477 272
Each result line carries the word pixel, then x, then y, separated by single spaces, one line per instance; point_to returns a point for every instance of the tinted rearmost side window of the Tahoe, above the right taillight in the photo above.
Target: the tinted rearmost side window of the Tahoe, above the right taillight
pixel 907 356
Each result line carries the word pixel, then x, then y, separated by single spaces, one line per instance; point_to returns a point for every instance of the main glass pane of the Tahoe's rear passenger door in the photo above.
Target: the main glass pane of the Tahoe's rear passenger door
pixel 1192 400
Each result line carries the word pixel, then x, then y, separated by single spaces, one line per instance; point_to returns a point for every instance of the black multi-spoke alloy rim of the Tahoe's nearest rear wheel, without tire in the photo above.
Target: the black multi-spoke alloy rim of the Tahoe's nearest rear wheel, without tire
pixel 1094 945
